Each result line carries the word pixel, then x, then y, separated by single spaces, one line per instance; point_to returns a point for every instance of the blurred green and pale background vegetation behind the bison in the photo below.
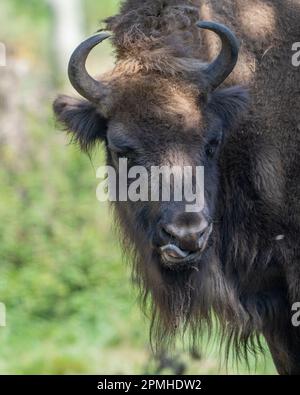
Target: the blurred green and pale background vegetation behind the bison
pixel 70 305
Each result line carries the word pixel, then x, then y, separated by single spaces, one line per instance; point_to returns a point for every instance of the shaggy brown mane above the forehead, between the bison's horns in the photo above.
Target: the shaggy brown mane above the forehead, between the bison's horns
pixel 155 35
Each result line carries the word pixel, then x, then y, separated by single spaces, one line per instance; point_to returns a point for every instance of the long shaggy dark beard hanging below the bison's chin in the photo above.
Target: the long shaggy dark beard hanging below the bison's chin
pixel 189 301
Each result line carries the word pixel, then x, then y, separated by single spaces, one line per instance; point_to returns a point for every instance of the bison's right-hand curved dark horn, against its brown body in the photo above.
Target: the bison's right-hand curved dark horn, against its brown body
pixel 217 71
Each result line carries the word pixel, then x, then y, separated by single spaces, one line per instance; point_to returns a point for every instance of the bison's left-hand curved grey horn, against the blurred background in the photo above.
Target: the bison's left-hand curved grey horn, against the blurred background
pixel 84 84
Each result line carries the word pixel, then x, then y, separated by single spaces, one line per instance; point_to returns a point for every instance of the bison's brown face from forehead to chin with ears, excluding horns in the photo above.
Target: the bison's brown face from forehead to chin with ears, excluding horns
pixel 157 123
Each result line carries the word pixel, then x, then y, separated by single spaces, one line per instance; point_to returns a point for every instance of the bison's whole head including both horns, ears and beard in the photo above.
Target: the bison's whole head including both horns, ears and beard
pixel 155 116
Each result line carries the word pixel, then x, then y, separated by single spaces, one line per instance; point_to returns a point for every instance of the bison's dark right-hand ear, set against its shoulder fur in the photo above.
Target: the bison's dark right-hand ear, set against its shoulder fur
pixel 230 104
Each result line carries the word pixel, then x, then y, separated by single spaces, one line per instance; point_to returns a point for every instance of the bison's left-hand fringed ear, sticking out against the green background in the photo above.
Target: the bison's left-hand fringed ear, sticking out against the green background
pixel 81 119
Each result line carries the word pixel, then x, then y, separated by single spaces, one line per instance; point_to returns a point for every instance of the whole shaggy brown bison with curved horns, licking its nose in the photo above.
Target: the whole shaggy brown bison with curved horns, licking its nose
pixel 184 92
